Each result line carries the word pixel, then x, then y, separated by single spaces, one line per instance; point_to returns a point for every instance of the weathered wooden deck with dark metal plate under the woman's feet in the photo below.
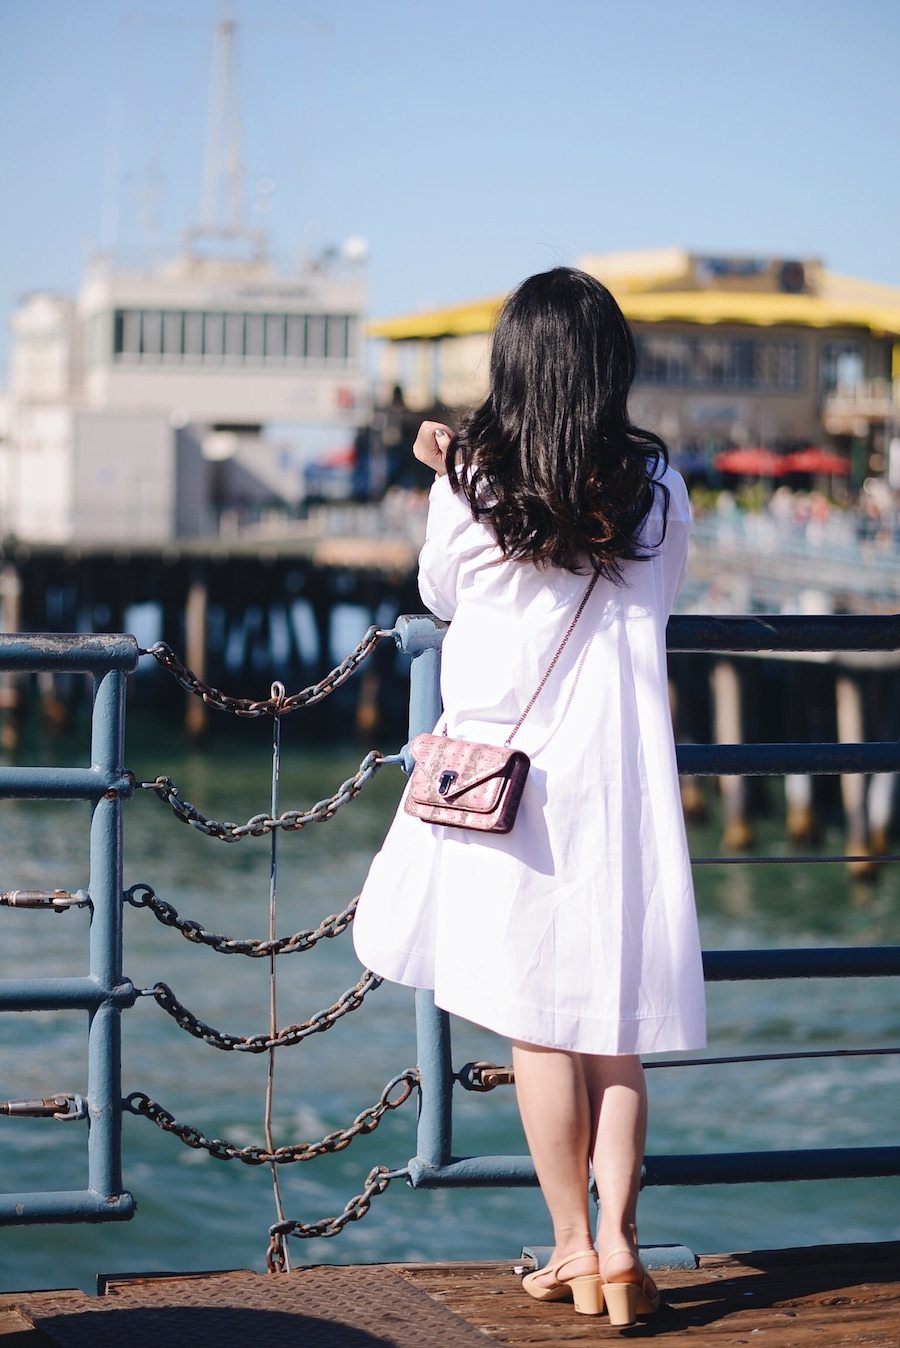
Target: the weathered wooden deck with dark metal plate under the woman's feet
pixel 786 1299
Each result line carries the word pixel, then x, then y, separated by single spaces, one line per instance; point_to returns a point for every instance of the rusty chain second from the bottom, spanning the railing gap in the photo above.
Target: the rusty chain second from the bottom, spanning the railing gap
pixel 220 1149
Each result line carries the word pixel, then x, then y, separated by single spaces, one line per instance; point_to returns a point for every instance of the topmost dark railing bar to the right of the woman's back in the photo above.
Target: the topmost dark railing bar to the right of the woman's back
pixel 696 634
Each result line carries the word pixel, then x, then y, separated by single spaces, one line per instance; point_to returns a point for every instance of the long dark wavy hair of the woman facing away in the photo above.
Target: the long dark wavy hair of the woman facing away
pixel 550 460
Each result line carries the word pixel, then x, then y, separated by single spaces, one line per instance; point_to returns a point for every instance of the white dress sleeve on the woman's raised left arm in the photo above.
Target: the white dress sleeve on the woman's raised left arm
pixel 455 543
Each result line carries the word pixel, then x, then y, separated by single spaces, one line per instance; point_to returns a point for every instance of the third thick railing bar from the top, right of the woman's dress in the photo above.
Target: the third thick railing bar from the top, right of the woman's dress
pixel 868 962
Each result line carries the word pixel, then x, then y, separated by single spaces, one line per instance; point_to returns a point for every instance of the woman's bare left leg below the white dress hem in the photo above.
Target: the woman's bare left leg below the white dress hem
pixel 556 1113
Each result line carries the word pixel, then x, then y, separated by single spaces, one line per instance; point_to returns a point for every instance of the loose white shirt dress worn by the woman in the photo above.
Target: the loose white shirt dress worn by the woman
pixel 576 931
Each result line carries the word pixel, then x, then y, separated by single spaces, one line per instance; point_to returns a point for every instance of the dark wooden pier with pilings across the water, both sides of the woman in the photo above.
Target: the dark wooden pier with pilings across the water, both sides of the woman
pixel 230 609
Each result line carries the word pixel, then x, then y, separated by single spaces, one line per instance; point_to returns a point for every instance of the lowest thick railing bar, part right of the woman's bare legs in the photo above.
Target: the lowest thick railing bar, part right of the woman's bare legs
pixel 773 1167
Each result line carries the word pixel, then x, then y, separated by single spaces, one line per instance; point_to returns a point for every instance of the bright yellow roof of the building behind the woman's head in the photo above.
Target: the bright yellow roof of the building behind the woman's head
pixel 844 303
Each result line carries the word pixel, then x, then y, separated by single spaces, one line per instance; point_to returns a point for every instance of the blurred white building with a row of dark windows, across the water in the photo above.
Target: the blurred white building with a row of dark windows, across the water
pixel 141 410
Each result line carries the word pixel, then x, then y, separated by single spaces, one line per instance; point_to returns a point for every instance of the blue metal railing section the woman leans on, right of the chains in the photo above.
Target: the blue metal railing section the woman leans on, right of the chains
pixel 435 1164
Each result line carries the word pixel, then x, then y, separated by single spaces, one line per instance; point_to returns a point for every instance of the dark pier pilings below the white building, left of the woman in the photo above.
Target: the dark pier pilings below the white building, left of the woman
pixel 228 607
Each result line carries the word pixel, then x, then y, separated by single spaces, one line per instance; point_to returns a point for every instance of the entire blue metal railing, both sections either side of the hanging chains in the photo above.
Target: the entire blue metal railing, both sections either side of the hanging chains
pixel 104 991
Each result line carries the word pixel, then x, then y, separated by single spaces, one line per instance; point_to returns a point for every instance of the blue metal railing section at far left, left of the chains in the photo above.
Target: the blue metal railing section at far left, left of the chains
pixel 103 991
